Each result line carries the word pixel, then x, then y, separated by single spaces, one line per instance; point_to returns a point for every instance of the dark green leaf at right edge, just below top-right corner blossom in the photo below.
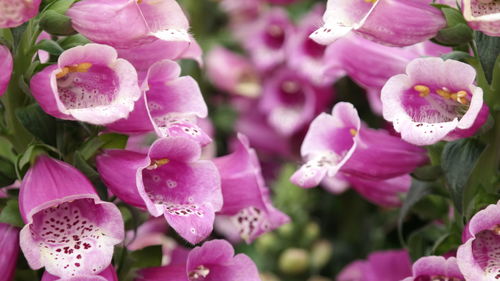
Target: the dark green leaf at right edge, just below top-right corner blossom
pixel 488 48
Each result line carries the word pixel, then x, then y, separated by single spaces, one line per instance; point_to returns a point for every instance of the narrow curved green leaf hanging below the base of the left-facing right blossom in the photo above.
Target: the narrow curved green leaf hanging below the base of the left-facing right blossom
pixel 418 190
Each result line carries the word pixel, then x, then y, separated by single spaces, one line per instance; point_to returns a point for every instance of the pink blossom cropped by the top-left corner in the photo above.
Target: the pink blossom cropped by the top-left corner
pixel 14 13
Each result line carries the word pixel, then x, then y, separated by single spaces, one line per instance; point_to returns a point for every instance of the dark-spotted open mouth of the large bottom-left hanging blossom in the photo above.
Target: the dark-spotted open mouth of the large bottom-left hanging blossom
pixel 72 237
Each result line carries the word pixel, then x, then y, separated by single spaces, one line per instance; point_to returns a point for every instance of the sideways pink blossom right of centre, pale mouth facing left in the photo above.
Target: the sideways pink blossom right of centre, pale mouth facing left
pixel 339 142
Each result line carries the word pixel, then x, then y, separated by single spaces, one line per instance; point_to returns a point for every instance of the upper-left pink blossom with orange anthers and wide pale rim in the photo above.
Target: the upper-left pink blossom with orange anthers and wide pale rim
pixel 89 83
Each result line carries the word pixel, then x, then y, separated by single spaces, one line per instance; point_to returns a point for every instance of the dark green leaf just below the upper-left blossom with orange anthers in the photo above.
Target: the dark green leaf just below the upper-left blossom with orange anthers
pixel 38 123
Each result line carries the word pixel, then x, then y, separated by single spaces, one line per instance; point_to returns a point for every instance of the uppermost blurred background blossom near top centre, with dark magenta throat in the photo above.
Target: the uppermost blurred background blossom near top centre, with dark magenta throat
pixel 265 38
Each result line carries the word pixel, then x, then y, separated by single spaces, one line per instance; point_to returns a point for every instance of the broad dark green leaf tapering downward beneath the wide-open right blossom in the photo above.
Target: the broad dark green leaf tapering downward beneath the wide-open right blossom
pixel 458 160
